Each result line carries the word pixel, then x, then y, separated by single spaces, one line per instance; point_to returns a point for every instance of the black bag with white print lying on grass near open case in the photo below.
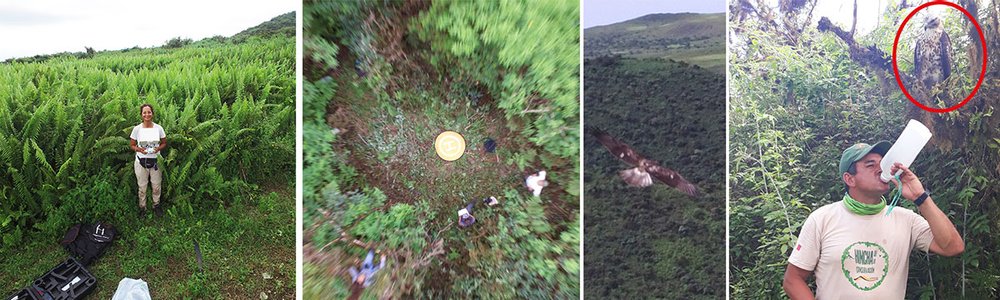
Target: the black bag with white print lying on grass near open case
pixel 88 241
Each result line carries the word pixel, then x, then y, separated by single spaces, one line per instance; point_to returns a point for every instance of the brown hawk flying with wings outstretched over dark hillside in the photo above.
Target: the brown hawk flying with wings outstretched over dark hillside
pixel 640 175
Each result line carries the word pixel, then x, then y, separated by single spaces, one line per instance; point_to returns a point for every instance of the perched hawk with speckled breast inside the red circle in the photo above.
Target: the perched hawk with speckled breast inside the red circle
pixel 932 54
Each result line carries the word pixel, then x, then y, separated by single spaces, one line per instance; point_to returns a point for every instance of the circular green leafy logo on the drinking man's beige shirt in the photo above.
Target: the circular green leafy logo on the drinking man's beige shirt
pixel 865 265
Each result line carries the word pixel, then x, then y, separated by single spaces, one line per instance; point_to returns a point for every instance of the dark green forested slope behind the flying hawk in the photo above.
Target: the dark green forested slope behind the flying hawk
pixel 654 242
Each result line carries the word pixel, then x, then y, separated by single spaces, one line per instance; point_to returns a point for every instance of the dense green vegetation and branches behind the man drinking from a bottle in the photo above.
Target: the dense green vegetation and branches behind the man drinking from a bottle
pixel 799 96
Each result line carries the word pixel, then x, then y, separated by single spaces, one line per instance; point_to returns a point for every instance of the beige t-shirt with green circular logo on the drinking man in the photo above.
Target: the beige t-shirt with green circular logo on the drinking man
pixel 860 257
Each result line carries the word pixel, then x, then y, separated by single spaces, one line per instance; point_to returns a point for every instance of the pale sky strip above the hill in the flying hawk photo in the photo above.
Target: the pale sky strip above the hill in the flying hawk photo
pixel 604 12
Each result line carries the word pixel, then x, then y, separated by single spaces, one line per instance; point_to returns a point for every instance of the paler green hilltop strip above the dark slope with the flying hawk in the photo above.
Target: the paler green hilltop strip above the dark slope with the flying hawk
pixel 693 38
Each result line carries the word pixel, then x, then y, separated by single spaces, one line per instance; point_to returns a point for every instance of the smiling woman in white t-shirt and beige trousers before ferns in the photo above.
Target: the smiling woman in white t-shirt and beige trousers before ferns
pixel 148 139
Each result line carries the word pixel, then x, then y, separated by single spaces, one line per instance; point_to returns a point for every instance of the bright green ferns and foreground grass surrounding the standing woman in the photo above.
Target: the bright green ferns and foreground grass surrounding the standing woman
pixel 228 111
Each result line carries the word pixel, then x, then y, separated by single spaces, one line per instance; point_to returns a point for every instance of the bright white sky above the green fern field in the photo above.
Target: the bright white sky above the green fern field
pixel 29 28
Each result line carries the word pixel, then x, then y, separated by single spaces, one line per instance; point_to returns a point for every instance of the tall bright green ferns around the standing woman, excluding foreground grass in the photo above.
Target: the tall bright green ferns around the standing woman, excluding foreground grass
pixel 66 123
